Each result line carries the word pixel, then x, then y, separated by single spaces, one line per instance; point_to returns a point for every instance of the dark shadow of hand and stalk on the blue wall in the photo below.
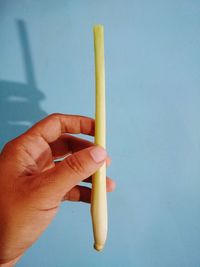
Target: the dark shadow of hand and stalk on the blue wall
pixel 20 102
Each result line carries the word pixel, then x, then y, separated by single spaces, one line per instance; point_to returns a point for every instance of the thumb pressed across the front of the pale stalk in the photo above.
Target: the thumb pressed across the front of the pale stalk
pixel 71 171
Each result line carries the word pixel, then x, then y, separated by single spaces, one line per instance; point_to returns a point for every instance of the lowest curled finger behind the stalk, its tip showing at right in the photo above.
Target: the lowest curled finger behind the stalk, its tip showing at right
pixel 83 194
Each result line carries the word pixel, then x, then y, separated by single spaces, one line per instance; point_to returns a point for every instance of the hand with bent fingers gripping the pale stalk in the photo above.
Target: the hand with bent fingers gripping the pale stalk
pixel 32 185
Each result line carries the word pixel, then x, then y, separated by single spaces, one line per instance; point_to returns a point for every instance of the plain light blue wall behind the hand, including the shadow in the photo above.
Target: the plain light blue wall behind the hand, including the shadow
pixel 153 128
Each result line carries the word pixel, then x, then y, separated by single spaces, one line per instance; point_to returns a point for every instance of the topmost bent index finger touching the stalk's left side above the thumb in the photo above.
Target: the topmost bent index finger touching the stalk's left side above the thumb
pixel 53 126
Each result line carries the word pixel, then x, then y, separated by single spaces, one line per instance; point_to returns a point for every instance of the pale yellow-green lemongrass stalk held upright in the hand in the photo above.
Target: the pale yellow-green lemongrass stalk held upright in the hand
pixel 99 200
